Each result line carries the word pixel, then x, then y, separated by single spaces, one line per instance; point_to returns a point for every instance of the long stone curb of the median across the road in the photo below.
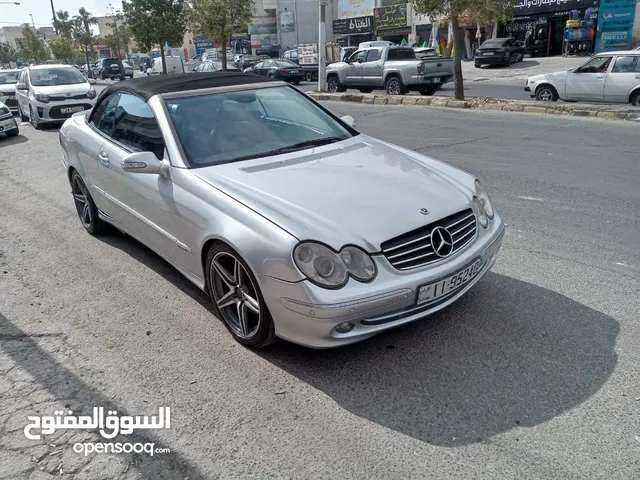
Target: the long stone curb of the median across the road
pixel 480 103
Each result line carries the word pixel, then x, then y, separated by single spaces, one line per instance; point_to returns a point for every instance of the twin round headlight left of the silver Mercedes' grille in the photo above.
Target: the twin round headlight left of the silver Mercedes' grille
pixel 329 269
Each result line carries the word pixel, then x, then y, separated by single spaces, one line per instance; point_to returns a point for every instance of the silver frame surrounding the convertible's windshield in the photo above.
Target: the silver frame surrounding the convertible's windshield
pixel 229 89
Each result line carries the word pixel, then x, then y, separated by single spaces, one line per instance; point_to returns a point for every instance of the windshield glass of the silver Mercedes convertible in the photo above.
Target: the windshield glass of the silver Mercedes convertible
pixel 233 126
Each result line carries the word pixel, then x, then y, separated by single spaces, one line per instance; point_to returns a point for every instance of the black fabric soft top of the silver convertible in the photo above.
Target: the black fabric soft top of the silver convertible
pixel 147 87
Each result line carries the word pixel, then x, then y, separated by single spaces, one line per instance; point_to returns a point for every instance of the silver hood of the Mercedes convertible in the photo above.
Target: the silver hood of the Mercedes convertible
pixel 360 191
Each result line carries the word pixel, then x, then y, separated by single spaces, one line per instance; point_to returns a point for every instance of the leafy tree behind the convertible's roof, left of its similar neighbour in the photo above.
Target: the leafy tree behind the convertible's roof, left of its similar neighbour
pixel 156 22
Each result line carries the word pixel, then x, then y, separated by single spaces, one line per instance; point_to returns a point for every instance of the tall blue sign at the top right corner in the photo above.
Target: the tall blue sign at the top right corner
pixel 615 25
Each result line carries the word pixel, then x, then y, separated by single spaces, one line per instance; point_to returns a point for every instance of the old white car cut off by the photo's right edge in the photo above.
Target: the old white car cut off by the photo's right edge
pixel 612 77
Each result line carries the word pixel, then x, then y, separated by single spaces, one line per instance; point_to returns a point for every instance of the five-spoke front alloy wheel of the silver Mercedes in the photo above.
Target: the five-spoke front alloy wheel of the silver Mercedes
pixel 235 295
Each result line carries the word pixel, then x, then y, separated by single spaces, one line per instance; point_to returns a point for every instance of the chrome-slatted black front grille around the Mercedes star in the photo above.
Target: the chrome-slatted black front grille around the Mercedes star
pixel 414 249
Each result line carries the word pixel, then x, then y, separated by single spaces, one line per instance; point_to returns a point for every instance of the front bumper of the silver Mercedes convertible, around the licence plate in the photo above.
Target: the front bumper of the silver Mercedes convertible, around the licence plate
pixel 307 315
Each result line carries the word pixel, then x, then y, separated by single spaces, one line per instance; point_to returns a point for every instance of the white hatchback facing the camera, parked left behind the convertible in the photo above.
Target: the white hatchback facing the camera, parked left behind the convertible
pixel 52 93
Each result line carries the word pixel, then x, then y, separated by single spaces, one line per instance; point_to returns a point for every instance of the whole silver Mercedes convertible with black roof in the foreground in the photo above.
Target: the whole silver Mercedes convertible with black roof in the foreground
pixel 295 224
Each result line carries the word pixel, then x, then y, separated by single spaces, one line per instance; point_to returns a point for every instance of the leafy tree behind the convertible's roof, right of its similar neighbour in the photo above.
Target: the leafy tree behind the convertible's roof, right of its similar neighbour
pixel 219 19
